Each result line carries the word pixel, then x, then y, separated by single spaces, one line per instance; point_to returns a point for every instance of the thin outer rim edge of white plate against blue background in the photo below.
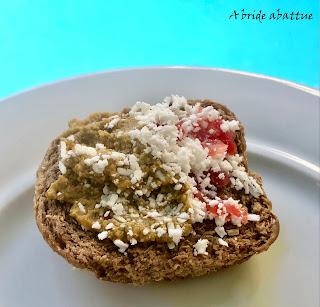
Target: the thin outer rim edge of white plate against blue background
pixel 294 85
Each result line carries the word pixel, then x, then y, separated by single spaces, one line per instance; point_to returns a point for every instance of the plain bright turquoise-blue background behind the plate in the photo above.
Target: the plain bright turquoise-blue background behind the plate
pixel 42 41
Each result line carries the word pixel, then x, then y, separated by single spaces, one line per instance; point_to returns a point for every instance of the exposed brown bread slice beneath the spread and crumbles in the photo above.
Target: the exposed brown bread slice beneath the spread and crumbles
pixel 147 262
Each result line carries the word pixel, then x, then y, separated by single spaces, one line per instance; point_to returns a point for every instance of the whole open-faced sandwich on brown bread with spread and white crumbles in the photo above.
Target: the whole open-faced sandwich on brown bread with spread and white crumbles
pixel 156 192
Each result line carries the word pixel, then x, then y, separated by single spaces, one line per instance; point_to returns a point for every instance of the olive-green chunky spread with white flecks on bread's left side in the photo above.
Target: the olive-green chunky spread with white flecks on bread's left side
pixel 102 191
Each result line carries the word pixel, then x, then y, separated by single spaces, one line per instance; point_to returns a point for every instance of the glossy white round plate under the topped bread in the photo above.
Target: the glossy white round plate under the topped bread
pixel 282 121
